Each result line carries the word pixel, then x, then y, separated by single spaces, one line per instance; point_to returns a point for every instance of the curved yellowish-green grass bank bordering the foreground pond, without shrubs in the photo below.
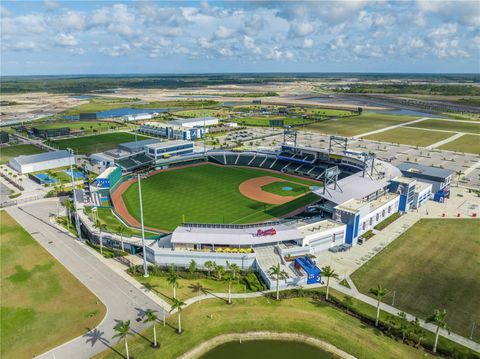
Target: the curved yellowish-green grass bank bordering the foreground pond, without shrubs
pixel 210 318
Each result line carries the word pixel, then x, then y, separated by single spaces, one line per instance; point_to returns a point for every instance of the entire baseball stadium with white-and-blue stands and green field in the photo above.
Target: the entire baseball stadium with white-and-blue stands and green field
pixel 251 208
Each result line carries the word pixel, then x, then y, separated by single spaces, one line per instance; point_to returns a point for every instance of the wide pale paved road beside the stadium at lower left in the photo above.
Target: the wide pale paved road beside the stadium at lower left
pixel 122 299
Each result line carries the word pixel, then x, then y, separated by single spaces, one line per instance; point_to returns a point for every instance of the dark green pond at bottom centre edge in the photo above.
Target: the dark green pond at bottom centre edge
pixel 261 349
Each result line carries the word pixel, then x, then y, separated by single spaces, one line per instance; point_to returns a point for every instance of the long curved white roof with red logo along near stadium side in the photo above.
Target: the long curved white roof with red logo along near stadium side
pixel 229 235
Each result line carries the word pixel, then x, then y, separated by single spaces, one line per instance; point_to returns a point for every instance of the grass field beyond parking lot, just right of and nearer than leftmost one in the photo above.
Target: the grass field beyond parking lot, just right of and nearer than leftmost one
pixel 410 136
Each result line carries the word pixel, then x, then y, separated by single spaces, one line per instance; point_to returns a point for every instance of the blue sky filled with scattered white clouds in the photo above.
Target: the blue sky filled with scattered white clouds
pixel 120 37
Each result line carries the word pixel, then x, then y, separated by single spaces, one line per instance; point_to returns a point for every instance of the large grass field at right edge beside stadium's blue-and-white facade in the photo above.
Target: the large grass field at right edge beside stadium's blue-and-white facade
pixel 435 264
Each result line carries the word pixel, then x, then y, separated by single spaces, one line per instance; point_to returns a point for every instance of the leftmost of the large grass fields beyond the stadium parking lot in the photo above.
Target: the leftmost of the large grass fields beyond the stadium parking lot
pixel 351 126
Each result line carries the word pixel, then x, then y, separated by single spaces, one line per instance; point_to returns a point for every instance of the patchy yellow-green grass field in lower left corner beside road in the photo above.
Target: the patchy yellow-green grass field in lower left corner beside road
pixel 42 304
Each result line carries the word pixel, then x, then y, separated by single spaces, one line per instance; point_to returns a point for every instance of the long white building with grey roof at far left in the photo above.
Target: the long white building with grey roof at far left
pixel 40 162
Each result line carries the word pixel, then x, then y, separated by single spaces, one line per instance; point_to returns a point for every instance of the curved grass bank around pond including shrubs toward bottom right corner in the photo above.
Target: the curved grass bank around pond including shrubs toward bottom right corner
pixel 343 322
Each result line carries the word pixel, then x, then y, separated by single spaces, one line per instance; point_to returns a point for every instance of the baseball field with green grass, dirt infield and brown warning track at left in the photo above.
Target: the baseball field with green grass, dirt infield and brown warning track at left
pixel 209 193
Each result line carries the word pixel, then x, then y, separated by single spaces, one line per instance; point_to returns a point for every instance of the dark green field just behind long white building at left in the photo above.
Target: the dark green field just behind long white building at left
pixel 97 143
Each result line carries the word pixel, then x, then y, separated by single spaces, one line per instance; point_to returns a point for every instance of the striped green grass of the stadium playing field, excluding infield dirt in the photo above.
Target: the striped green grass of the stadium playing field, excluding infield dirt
pixel 205 194
